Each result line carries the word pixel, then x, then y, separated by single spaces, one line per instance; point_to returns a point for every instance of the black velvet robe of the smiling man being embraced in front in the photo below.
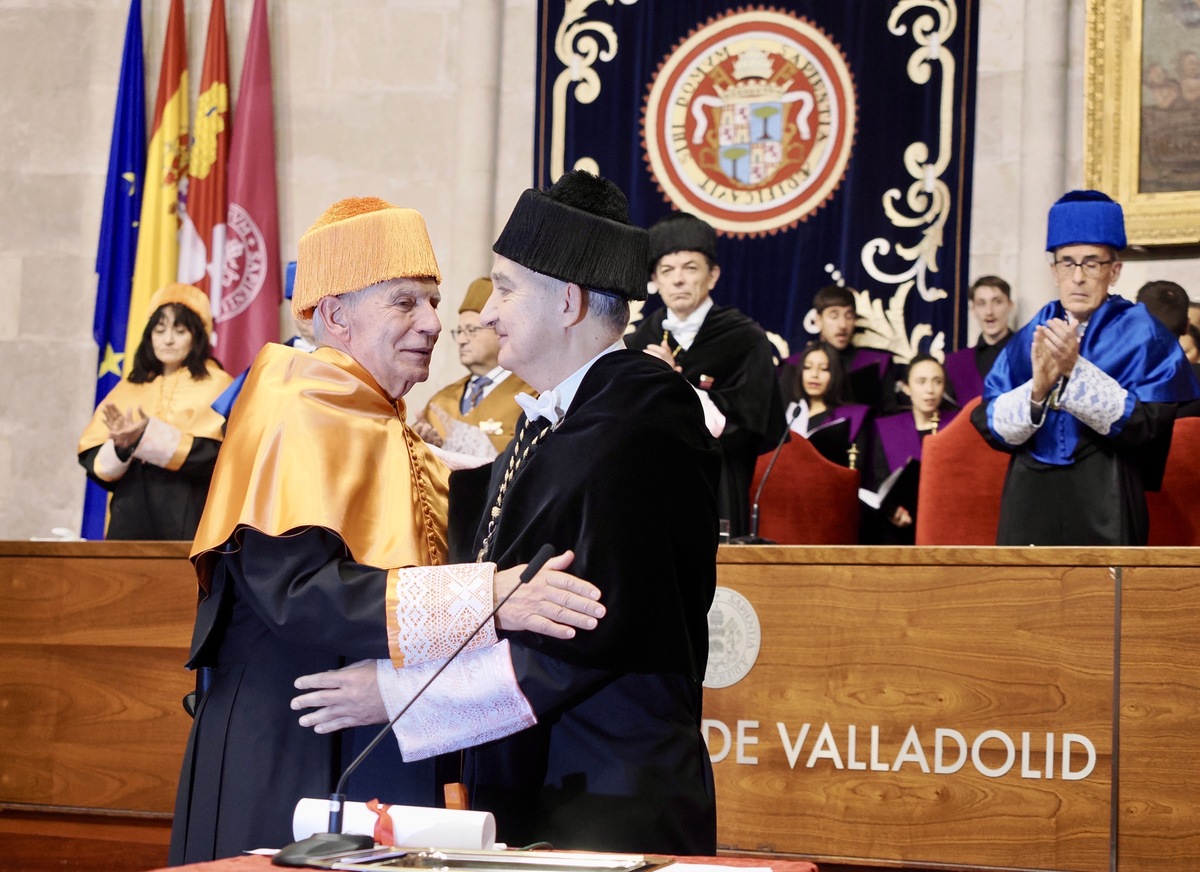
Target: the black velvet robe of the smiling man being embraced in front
pixel 617 762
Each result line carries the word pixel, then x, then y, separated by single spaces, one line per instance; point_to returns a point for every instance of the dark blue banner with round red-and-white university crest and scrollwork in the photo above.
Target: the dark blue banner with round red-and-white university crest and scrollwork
pixel 829 142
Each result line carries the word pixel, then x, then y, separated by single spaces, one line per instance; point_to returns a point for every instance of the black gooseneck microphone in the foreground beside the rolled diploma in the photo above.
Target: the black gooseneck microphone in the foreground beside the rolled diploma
pixel 309 852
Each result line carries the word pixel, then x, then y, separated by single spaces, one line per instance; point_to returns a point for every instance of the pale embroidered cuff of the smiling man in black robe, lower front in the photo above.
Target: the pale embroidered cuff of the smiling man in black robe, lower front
pixel 476 700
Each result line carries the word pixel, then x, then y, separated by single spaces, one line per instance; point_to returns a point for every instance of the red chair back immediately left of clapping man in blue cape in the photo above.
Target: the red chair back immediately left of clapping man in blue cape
pixel 962 480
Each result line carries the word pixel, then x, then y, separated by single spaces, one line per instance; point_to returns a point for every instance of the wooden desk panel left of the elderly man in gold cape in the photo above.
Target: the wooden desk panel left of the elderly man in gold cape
pixel 93 642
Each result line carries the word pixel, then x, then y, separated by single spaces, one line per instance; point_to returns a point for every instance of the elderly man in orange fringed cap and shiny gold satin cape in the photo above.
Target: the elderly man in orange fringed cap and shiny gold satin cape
pixel 323 543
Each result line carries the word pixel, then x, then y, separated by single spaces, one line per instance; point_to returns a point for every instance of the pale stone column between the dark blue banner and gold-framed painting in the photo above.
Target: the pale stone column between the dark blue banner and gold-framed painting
pixel 1045 123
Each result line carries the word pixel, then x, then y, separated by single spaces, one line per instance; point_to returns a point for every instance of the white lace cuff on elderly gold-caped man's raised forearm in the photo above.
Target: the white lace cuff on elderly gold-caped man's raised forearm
pixel 431 610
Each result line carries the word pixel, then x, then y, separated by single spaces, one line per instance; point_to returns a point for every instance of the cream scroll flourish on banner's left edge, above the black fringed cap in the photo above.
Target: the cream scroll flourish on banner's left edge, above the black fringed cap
pixel 578 45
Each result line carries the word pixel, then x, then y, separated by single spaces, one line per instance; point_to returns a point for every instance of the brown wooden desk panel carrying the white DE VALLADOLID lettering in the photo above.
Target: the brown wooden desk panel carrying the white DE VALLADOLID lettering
pixel 967 648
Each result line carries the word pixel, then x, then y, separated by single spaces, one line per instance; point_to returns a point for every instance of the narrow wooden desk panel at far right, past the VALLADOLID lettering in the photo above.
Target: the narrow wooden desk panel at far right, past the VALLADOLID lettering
pixel 1160 762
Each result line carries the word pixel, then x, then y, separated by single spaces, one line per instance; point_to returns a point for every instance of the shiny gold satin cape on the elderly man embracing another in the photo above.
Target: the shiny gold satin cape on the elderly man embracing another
pixel 315 442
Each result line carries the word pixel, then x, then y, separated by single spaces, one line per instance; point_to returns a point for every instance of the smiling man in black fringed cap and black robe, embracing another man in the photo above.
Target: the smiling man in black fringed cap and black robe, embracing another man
pixel 614 759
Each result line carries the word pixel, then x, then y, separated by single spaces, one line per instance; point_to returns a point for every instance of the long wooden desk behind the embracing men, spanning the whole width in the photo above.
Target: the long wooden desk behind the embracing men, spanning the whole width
pixel 1051 693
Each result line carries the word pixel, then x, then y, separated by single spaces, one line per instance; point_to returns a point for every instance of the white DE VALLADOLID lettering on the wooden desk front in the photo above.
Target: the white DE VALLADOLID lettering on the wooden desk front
pixel 993 753
